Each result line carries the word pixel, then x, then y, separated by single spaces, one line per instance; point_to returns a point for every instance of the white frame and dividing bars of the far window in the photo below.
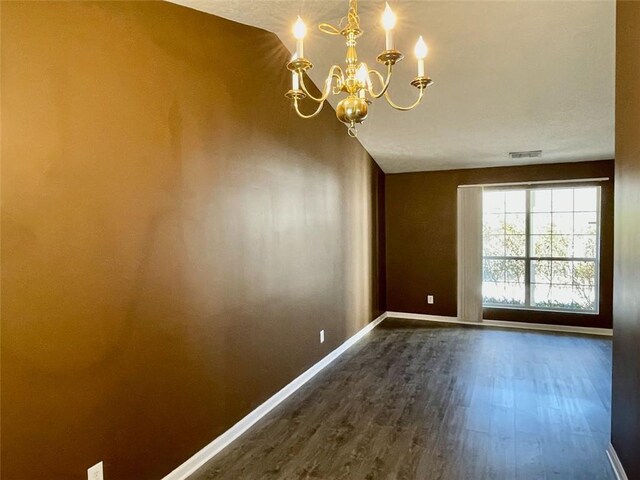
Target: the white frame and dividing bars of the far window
pixel 528 259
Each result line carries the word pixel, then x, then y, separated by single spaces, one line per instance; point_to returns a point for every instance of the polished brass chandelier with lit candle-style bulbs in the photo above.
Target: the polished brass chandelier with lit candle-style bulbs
pixel 355 79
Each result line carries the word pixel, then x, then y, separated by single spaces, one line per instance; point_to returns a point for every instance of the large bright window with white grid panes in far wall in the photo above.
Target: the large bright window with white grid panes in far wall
pixel 541 248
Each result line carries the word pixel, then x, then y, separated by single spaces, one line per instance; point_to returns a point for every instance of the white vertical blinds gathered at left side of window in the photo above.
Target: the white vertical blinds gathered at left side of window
pixel 470 253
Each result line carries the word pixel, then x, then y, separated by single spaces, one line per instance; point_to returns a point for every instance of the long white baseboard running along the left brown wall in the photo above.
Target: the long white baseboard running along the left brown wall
pixel 212 449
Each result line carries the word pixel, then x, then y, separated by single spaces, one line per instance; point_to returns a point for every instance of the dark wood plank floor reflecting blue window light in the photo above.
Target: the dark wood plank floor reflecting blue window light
pixel 417 400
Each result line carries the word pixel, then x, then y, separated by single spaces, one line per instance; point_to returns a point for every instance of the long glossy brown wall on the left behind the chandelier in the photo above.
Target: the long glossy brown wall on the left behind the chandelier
pixel 173 237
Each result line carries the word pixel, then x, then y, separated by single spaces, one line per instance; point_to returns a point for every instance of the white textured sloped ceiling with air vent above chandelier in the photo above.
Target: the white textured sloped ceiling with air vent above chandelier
pixel 509 76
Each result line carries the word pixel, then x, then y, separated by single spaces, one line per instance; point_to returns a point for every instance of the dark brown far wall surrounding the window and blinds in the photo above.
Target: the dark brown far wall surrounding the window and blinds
pixel 421 238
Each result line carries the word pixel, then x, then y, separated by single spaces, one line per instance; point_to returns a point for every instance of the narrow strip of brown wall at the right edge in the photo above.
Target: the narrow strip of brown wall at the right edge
pixel 625 431
